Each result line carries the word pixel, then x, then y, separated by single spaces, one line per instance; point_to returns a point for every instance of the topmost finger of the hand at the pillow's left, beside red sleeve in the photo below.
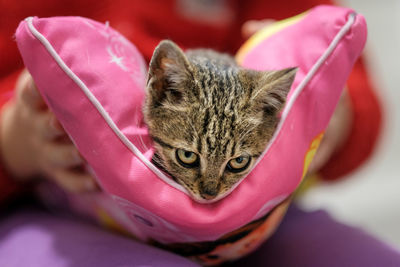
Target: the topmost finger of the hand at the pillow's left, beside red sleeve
pixel 29 94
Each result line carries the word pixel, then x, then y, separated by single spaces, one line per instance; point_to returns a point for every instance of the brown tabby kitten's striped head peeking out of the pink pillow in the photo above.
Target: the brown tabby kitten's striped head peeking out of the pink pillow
pixel 209 118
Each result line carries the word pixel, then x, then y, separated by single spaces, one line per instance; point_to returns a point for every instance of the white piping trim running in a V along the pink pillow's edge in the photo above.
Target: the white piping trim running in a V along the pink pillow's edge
pixel 343 31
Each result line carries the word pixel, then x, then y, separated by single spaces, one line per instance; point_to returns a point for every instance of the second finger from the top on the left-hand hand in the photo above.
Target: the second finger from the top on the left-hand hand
pixel 48 126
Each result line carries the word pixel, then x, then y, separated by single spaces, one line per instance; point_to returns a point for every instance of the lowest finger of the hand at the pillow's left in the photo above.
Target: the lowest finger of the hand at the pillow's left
pixel 74 182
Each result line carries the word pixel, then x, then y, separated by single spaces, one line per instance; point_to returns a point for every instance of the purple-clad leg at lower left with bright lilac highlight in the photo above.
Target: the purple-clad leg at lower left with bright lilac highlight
pixel 37 239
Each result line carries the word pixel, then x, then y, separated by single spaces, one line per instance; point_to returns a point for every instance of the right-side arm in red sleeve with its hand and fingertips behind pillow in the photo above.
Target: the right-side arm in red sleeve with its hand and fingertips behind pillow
pixel 353 131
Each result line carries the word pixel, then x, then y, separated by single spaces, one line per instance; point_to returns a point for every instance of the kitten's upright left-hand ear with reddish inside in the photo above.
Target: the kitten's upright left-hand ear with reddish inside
pixel 168 68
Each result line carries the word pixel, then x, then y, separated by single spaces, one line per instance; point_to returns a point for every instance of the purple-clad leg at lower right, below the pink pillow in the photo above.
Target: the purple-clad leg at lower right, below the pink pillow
pixel 314 239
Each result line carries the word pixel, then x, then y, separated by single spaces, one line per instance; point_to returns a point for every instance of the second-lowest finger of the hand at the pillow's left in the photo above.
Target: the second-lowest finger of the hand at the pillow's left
pixel 61 155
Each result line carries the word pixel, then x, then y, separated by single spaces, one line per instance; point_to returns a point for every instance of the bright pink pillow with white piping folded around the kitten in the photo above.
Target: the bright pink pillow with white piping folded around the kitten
pixel 94 81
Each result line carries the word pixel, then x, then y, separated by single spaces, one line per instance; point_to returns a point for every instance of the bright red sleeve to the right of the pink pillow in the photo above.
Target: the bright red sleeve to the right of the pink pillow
pixel 364 130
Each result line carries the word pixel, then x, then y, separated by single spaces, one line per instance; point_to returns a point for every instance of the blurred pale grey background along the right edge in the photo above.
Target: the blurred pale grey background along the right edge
pixel 370 197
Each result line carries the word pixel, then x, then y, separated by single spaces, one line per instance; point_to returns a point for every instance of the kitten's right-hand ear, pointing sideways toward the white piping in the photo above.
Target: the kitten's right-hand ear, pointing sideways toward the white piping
pixel 273 88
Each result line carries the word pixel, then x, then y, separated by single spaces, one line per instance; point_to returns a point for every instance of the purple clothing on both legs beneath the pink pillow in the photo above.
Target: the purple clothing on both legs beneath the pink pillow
pixel 35 238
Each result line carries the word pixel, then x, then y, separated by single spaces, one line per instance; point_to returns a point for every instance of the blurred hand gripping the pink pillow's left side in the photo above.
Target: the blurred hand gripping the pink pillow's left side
pixel 34 144
